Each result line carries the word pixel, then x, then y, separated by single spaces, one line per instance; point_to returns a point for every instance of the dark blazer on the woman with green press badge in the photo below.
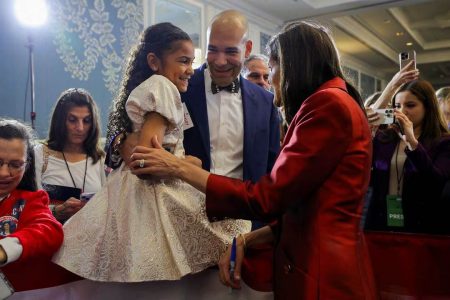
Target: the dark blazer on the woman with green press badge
pixel 426 171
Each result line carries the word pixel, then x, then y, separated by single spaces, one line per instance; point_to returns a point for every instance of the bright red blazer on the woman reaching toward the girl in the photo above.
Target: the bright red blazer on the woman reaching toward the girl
pixel 316 191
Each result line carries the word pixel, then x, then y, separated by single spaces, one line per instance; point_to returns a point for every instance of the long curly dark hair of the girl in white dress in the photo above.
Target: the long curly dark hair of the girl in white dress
pixel 159 39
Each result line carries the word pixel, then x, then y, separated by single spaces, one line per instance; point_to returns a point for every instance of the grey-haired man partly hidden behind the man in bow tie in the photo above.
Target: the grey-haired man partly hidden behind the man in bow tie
pixel 256 70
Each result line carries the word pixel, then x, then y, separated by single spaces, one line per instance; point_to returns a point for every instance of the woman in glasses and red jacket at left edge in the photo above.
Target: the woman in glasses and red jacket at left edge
pixel 28 230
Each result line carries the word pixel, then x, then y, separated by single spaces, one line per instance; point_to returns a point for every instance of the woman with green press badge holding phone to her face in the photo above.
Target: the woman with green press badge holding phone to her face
pixel 411 164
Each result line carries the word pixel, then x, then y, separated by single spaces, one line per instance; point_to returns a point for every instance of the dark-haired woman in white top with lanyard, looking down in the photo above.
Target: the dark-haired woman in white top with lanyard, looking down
pixel 71 157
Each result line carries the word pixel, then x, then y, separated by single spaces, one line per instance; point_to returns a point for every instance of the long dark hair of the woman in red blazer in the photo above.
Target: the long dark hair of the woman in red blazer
pixel 308 58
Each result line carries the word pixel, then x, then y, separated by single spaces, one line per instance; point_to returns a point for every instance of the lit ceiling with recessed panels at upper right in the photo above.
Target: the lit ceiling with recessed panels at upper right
pixel 372 33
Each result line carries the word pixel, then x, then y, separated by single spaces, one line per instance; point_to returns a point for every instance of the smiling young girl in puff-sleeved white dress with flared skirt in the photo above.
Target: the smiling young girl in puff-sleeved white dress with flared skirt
pixel 148 229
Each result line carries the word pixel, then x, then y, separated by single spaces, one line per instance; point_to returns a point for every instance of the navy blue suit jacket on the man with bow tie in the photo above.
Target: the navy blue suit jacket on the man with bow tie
pixel 261 126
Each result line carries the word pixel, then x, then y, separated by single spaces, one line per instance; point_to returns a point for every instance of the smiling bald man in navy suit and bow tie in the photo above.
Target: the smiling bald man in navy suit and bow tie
pixel 233 126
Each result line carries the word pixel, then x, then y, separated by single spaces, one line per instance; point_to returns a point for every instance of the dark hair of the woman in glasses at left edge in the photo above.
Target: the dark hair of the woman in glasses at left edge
pixel 12 129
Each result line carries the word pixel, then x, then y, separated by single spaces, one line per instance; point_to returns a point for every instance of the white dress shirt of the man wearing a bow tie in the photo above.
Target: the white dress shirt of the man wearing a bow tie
pixel 226 130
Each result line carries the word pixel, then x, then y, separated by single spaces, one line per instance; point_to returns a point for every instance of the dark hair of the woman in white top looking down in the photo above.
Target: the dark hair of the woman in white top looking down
pixel 57 136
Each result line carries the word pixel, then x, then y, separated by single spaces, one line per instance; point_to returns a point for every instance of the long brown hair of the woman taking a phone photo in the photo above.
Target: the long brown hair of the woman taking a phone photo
pixel 433 124
